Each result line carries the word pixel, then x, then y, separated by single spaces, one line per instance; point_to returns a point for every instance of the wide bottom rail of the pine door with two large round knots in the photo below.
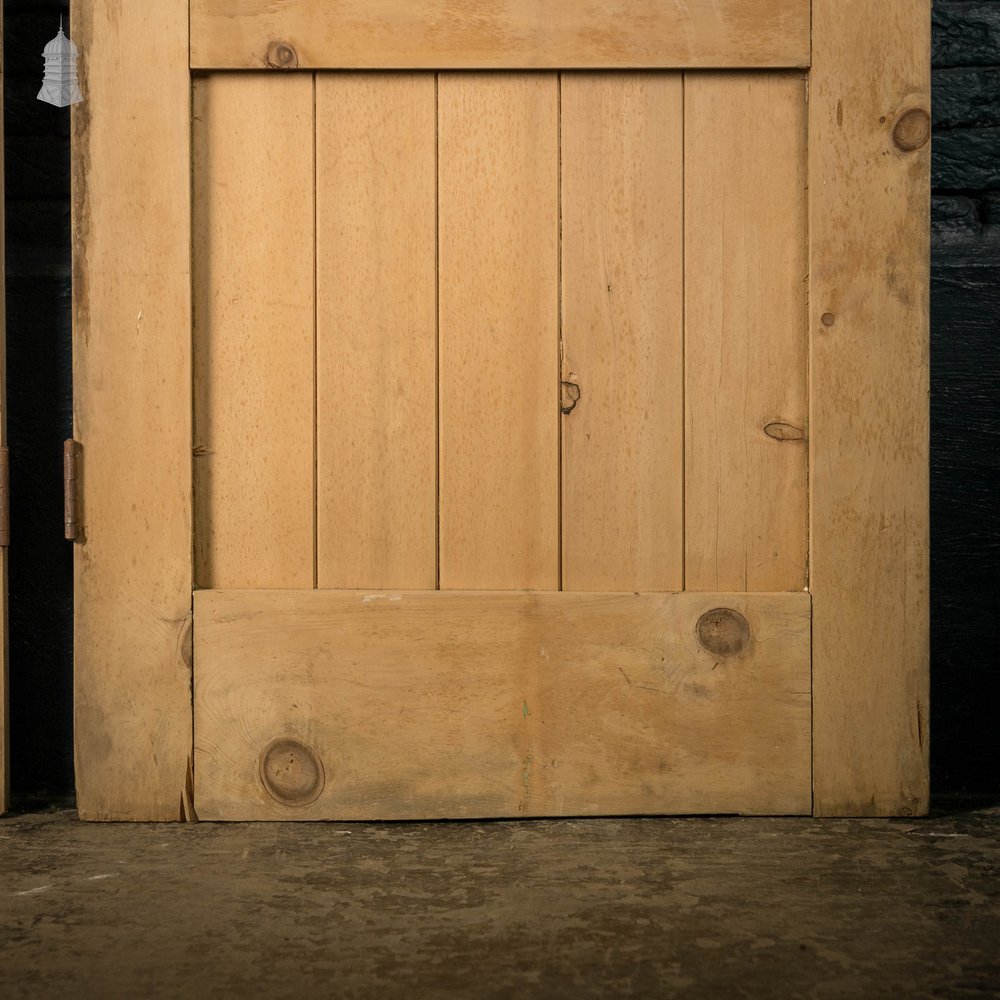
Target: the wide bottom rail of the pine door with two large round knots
pixel 323 705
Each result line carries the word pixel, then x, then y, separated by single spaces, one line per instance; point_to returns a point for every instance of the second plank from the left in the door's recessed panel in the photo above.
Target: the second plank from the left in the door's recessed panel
pixel 376 330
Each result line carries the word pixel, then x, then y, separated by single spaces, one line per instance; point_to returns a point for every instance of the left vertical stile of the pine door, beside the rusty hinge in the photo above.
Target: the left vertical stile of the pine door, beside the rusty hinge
pixel 132 403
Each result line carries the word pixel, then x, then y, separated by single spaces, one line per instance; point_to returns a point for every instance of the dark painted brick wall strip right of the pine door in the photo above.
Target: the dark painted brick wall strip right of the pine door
pixel 965 397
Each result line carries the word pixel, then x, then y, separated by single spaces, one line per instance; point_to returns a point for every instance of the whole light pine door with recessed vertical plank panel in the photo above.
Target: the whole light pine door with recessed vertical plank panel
pixel 415 703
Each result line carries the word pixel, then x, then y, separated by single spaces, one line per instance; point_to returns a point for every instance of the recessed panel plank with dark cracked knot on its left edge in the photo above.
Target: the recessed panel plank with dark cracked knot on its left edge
pixel 622 366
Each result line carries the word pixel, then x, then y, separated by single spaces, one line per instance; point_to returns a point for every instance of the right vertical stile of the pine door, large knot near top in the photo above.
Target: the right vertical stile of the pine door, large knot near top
pixel 869 170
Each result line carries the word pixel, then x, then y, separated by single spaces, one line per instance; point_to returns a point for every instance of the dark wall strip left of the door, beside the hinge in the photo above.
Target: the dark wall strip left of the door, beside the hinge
pixel 36 150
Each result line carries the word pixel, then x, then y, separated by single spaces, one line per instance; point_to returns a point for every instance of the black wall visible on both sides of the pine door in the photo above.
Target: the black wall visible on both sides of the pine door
pixel 965 403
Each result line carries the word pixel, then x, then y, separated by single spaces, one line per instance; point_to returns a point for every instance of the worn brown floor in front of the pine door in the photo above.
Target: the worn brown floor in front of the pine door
pixel 699 908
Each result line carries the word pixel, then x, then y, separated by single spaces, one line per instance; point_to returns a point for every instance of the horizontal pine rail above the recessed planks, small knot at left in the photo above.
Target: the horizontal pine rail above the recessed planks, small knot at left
pixel 506 34
